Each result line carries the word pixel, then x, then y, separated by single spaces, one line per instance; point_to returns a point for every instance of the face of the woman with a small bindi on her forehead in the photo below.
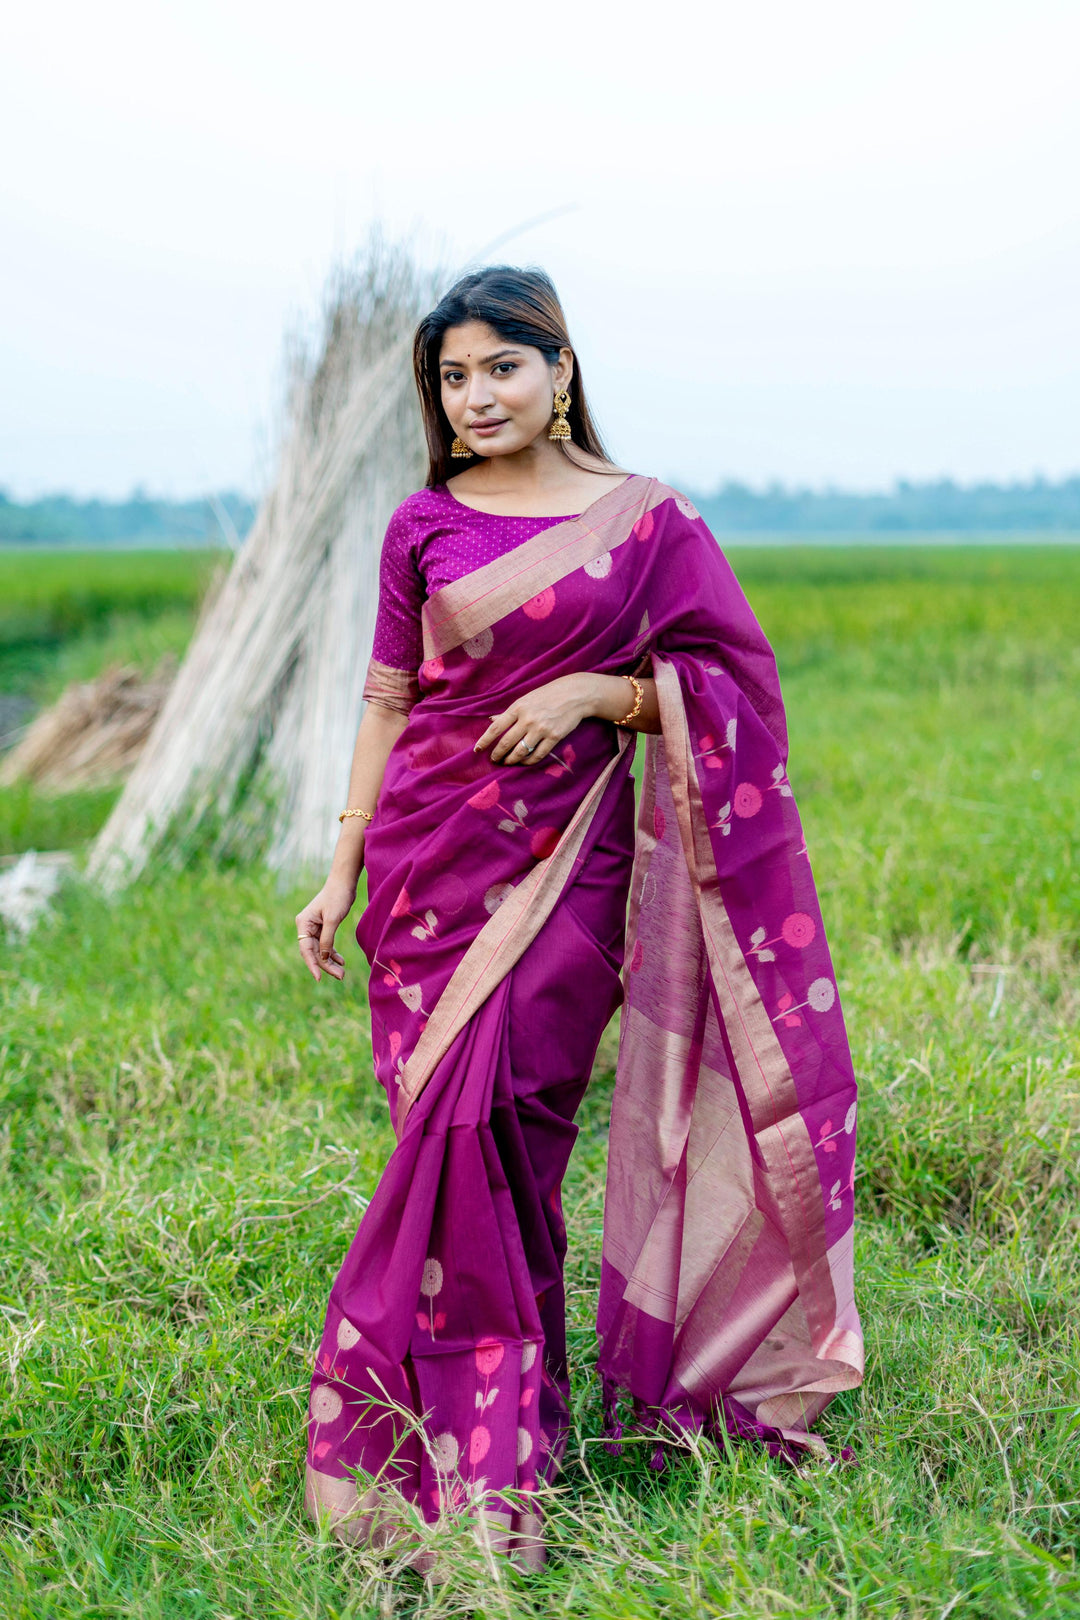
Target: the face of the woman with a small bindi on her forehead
pixel 498 396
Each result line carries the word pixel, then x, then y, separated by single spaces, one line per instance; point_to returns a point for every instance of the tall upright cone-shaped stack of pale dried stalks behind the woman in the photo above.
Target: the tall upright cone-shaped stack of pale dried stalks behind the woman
pixel 253 746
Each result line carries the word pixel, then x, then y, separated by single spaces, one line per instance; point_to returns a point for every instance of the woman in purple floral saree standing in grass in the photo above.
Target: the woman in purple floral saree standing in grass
pixel 540 608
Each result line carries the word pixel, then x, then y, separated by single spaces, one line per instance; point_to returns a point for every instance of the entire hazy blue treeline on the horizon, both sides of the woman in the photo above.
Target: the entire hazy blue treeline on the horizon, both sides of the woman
pixel 733 509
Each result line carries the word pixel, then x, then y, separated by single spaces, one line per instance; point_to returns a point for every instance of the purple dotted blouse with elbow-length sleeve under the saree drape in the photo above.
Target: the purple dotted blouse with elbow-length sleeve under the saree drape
pixel 433 539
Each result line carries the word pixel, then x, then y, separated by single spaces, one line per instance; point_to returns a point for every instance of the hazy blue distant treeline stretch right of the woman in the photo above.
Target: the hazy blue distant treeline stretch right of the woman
pixel 906 508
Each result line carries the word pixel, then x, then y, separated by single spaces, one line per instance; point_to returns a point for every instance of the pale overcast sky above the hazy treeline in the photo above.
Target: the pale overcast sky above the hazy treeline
pixel 823 244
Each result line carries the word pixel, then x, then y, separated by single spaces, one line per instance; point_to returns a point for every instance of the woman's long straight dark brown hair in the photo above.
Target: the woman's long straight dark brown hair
pixel 522 307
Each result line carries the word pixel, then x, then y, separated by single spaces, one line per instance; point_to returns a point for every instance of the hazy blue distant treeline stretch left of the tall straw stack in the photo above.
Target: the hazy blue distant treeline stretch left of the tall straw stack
pixel 61 521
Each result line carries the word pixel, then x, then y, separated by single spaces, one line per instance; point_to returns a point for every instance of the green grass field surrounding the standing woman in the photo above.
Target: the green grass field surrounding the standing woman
pixel 192 1130
